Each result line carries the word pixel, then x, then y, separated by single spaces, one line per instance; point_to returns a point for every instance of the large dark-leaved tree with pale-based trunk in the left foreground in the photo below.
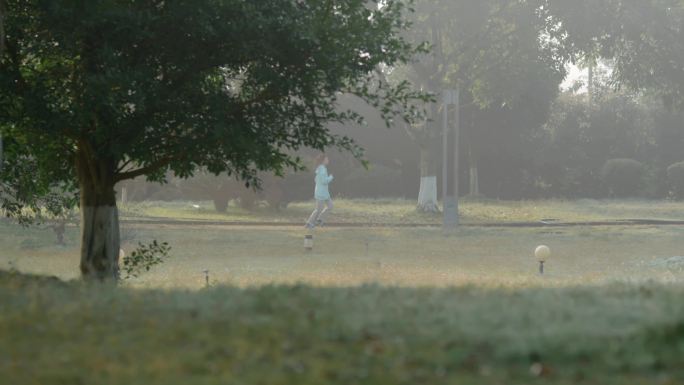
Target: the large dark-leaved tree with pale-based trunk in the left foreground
pixel 97 92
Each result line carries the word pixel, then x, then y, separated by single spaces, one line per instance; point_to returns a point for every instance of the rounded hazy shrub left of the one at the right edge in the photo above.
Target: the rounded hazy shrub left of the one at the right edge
pixel 623 177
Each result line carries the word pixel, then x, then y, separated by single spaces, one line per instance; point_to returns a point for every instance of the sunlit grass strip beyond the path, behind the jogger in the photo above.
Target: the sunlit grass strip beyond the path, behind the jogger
pixel 398 211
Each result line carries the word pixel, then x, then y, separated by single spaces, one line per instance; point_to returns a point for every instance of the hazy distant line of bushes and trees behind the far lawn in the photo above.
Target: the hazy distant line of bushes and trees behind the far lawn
pixel 623 144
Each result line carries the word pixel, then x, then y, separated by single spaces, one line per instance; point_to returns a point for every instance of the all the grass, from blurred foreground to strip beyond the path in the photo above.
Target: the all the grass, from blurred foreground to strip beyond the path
pixel 367 306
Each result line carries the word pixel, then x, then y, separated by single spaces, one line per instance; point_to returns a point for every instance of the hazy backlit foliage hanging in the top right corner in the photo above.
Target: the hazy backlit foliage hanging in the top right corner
pixel 643 38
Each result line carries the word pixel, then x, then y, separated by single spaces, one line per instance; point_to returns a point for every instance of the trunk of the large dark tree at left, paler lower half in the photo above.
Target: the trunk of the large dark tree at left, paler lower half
pixel 99 220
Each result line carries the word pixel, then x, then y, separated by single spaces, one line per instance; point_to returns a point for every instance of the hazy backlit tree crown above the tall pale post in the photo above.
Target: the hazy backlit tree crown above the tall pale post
pixel 489 48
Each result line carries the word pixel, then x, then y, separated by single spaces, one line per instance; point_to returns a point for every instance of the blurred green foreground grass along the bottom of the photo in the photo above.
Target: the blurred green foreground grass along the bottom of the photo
pixel 69 333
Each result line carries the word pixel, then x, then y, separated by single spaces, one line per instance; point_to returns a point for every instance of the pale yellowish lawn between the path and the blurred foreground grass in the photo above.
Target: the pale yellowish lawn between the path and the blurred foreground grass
pixel 486 257
